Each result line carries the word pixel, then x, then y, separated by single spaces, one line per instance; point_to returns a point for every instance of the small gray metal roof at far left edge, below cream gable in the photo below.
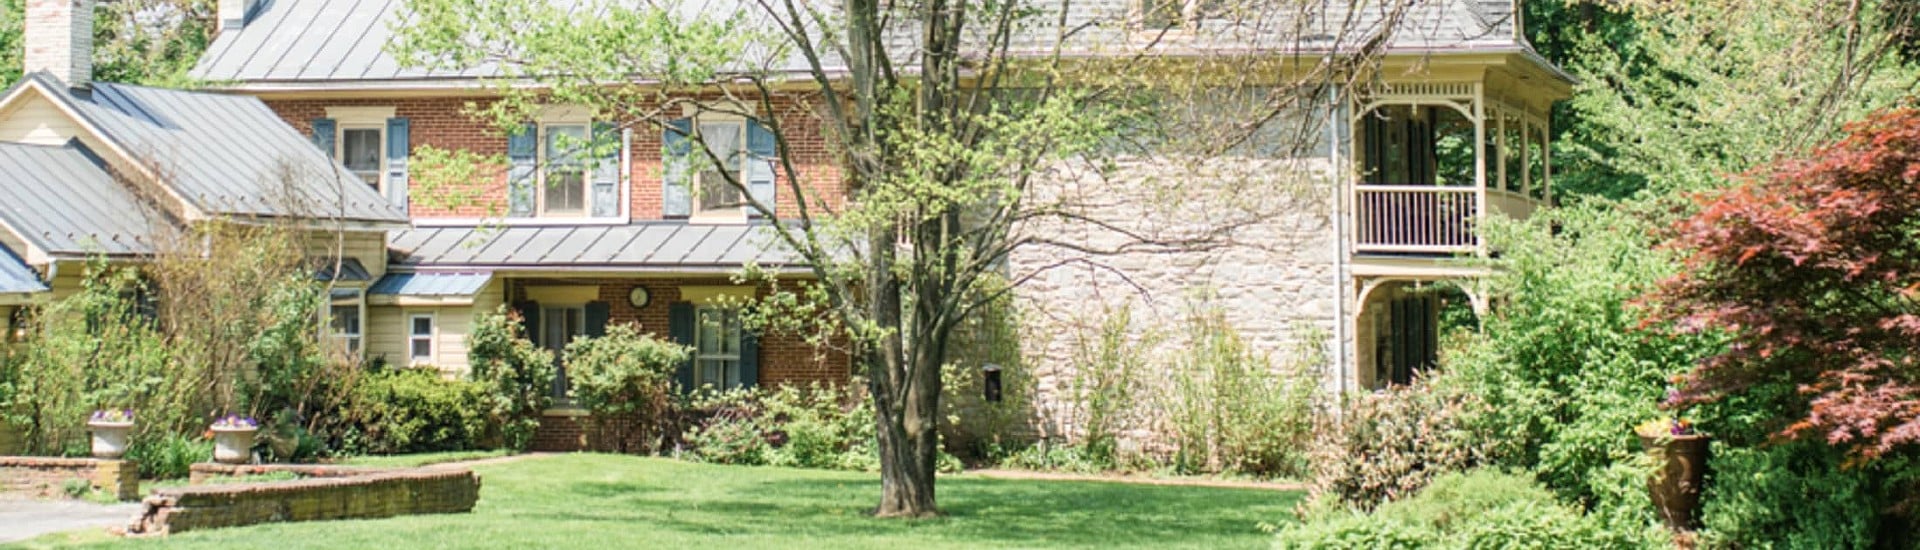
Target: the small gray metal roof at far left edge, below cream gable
pixel 64 201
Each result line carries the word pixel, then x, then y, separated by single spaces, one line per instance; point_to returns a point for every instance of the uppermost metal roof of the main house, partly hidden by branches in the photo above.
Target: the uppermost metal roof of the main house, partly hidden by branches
pixel 343 41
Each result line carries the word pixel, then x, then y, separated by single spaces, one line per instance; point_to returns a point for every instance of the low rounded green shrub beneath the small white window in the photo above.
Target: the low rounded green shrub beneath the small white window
pixel 416 411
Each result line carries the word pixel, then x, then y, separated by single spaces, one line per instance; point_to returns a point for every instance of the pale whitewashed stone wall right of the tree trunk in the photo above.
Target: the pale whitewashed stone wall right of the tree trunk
pixel 1251 237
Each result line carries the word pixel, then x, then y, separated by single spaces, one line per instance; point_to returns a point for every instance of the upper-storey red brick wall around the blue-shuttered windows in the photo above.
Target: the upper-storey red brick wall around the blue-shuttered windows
pixel 444 124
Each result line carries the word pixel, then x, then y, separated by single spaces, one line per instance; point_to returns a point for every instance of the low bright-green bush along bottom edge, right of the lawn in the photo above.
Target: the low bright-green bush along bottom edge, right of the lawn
pixel 1466 511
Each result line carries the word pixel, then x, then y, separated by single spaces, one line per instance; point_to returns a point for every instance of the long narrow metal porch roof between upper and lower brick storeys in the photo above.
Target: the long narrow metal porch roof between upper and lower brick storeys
pixel 677 247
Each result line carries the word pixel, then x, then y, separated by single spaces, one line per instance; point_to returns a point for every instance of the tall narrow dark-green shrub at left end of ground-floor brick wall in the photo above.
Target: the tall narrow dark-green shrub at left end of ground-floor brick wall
pixel 517 378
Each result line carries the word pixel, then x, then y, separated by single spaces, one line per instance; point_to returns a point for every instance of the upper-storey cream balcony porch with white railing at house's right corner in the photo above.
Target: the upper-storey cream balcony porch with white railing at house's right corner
pixel 1437 161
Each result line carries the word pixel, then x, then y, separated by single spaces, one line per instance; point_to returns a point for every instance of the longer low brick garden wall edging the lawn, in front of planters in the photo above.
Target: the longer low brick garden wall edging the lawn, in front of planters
pixel 356 497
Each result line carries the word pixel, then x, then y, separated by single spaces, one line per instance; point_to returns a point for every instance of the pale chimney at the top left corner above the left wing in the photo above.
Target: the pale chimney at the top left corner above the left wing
pixel 60 41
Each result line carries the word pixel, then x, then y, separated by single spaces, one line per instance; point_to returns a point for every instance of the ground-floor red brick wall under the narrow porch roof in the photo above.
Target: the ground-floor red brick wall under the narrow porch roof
pixel 784 359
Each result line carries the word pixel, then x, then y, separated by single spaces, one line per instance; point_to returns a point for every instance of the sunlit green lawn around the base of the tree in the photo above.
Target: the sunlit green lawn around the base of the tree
pixel 592 501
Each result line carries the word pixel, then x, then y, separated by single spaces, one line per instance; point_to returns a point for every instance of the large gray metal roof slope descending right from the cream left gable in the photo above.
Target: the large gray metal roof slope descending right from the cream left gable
pixel 224 155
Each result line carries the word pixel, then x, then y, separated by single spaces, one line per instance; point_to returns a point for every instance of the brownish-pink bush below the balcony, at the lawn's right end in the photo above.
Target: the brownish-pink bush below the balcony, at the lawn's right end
pixel 1389 445
